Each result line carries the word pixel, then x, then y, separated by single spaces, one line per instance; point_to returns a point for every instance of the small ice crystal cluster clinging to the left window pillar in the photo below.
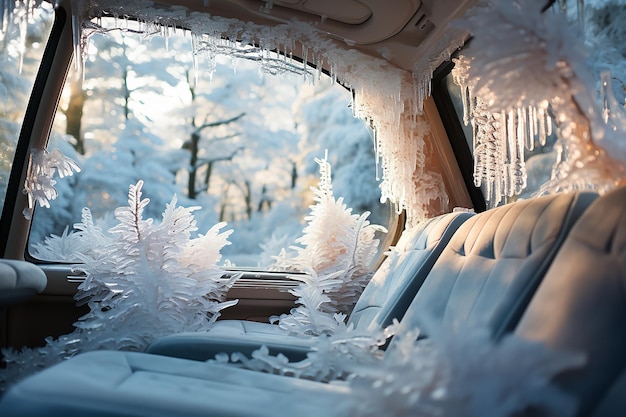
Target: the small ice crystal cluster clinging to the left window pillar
pixel 43 166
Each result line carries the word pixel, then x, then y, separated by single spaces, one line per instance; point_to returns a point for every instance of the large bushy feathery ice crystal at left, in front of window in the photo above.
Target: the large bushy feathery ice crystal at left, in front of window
pixel 143 280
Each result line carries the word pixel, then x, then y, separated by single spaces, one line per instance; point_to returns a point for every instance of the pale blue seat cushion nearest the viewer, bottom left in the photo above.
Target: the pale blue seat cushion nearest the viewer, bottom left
pixel 118 384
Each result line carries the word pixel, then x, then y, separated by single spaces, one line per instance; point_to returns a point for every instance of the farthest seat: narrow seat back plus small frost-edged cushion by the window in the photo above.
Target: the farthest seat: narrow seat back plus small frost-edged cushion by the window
pixel 387 296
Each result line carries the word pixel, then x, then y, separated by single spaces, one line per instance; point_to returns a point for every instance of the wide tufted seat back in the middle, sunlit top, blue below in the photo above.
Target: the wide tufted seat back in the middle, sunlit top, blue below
pixel 493 264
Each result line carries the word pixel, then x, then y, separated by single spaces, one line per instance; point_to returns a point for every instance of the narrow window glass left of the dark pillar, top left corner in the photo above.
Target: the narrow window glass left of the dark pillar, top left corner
pixel 21 50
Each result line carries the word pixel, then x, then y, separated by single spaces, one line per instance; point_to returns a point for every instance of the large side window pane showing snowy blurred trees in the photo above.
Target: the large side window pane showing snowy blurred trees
pixel 237 143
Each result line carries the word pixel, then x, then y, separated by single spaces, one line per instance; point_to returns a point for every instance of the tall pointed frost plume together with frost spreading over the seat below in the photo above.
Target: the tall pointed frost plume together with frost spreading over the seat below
pixel 337 251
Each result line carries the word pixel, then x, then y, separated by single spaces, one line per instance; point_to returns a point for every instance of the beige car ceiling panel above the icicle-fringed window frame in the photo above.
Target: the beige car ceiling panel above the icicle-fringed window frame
pixel 400 31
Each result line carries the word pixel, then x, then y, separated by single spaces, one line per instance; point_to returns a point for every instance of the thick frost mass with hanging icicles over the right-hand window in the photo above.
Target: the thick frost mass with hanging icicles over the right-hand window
pixel 522 71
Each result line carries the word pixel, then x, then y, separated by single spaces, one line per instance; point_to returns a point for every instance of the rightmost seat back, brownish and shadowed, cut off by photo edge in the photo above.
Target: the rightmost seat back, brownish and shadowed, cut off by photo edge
pixel 581 306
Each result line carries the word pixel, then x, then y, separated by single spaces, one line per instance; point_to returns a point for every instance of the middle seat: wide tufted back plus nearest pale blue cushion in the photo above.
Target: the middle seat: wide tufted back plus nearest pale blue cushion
pixel 486 274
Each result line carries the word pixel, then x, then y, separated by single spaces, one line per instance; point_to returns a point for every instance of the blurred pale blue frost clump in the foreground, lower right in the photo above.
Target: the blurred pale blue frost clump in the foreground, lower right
pixel 437 377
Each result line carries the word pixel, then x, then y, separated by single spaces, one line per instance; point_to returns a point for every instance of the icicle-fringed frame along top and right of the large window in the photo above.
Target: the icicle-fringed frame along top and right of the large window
pixel 382 92
